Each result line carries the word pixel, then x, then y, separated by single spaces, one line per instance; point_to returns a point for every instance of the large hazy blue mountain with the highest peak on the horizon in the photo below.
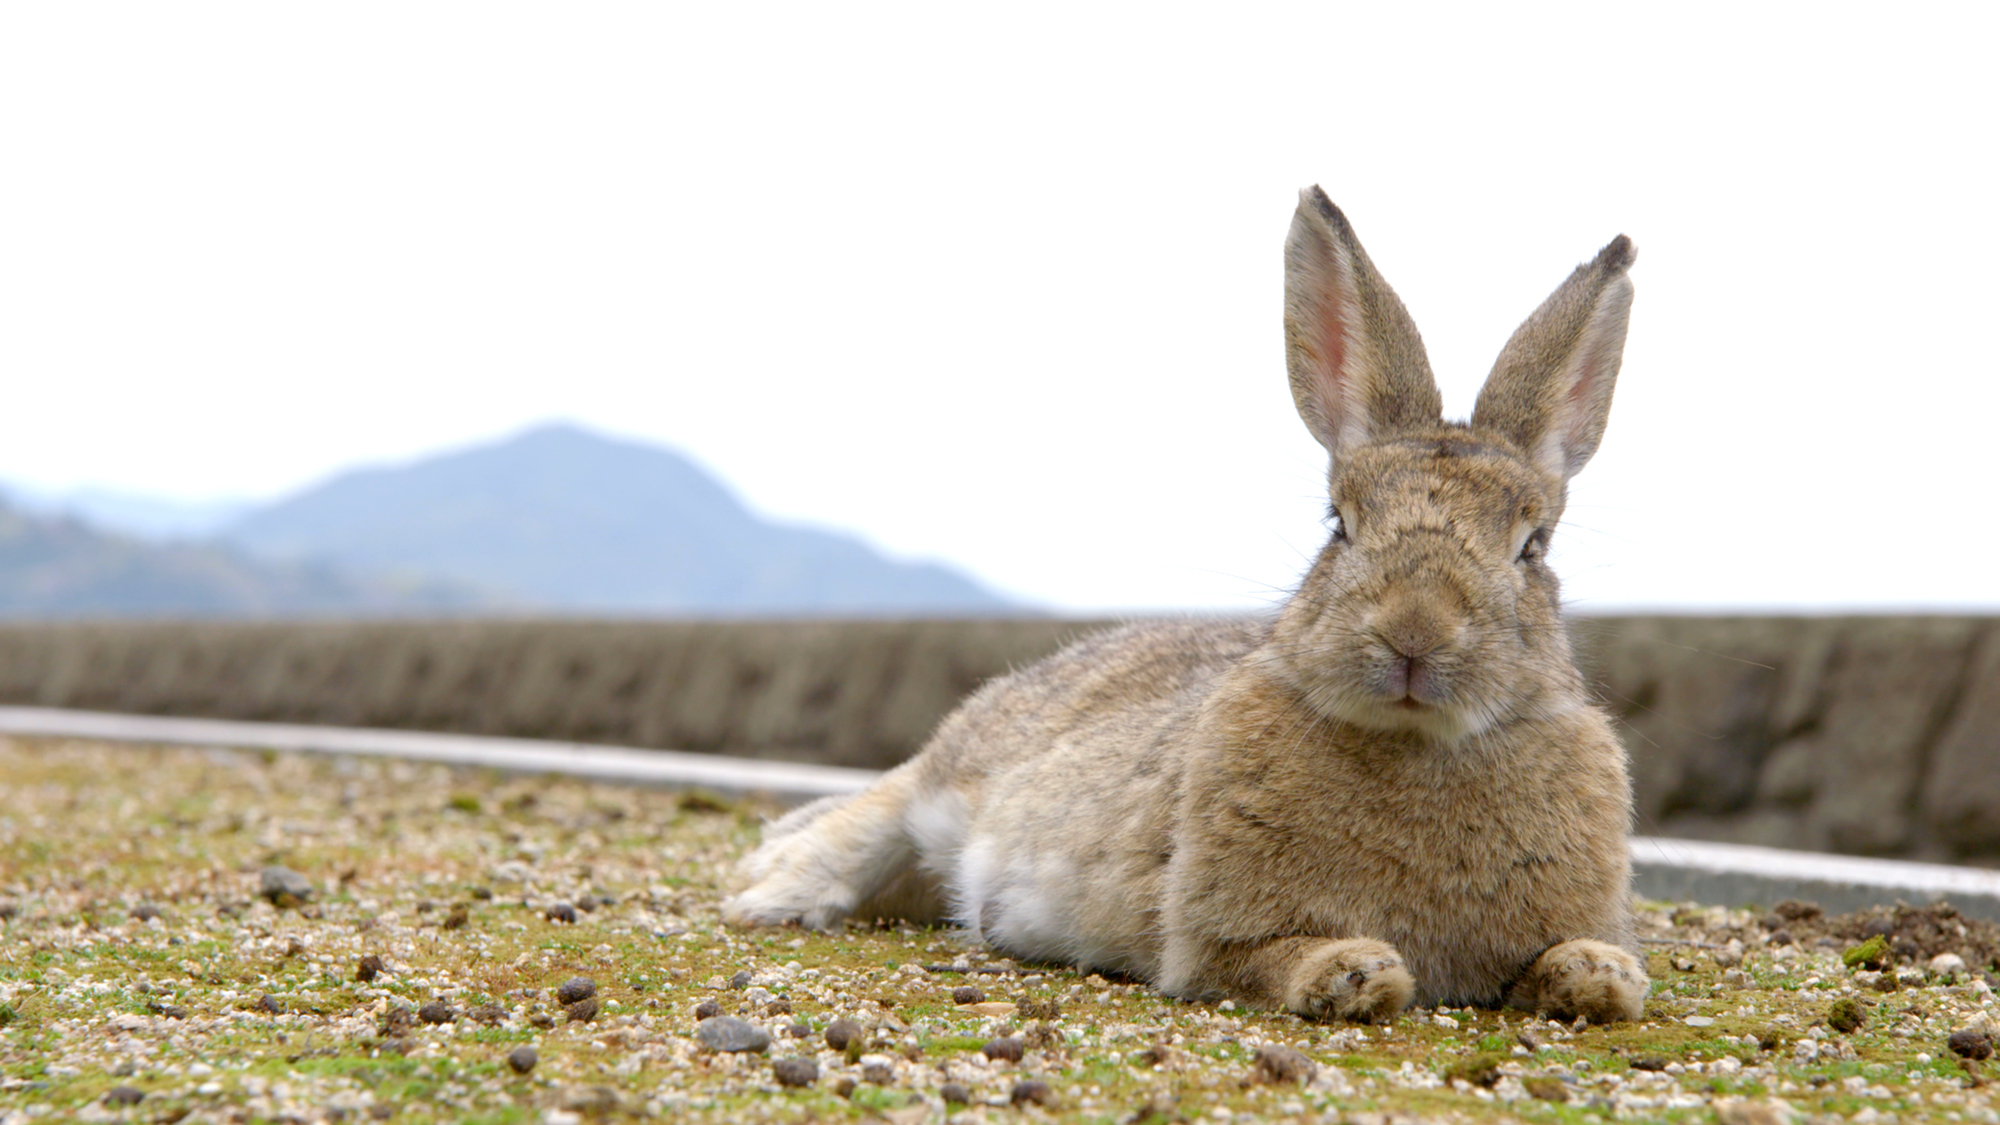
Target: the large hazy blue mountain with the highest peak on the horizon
pixel 573 521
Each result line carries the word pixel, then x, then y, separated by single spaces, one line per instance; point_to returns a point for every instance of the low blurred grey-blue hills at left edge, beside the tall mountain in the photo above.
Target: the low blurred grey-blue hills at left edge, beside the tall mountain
pixel 63 568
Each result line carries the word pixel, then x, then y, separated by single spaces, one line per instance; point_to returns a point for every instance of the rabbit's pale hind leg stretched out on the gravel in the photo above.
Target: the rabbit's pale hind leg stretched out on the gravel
pixel 851 858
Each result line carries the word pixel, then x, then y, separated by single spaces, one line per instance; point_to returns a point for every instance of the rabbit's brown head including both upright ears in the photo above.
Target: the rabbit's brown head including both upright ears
pixel 1433 608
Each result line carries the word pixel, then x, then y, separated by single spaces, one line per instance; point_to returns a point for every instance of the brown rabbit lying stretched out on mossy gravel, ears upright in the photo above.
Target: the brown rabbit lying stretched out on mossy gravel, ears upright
pixel 1395 790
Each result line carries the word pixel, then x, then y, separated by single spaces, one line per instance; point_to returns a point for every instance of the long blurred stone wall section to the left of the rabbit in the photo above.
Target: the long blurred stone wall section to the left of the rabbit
pixel 859 694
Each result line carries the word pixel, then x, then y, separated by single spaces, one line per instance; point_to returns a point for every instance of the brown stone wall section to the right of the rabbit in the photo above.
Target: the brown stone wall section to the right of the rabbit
pixel 1871 736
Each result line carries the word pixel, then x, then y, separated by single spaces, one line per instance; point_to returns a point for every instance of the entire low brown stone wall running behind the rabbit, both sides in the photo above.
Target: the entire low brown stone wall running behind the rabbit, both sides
pixel 1871 736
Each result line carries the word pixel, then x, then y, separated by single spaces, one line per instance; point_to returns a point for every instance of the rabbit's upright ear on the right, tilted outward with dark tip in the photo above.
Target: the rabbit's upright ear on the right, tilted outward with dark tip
pixel 1551 391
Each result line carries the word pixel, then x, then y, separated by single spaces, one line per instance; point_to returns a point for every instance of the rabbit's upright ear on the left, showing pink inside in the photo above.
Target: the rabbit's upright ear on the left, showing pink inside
pixel 1359 367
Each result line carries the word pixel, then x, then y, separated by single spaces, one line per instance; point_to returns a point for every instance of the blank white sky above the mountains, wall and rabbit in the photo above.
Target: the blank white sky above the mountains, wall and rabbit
pixel 999 285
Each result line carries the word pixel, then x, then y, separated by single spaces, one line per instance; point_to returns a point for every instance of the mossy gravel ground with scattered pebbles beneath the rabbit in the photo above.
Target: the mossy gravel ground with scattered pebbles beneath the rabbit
pixel 205 936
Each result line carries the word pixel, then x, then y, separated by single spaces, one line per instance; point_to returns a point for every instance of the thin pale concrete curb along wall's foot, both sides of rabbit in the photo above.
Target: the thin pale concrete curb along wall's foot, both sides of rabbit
pixel 1667 870
